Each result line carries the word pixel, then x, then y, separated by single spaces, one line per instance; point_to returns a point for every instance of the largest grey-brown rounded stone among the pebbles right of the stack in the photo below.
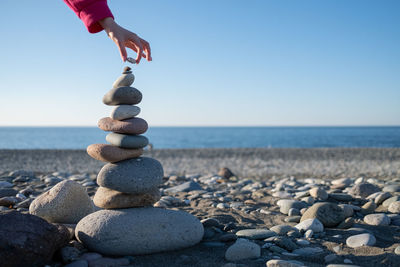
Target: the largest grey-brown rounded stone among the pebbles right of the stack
pixel 328 214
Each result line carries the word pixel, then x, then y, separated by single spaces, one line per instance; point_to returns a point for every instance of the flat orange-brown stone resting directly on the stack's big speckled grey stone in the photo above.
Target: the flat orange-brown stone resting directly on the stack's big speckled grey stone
pixel 109 153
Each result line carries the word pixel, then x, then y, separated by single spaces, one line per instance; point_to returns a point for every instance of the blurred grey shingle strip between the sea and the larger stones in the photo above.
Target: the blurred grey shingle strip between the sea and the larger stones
pixel 258 162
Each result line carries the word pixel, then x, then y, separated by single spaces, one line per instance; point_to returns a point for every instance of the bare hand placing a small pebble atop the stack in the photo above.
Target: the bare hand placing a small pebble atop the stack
pixel 124 38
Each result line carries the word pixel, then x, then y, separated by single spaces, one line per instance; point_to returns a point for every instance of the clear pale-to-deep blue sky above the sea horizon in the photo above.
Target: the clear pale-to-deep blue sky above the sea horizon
pixel 216 63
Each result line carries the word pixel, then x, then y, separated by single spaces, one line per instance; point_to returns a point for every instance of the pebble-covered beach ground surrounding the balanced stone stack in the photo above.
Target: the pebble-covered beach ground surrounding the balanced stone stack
pixel 283 207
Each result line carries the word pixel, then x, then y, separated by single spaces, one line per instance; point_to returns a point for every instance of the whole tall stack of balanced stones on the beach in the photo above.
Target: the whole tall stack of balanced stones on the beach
pixel 127 223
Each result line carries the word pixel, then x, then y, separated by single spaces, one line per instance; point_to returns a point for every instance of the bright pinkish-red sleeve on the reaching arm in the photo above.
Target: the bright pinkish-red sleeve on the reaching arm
pixel 90 12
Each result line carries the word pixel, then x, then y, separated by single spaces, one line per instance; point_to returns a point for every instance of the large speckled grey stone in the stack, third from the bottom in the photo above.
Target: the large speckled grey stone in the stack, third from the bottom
pixel 131 176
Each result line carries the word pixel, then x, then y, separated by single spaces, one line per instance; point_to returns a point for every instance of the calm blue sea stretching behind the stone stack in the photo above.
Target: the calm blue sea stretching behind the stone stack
pixel 206 137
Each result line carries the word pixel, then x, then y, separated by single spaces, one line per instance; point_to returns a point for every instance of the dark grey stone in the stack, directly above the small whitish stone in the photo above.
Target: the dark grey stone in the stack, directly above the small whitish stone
pixel 122 96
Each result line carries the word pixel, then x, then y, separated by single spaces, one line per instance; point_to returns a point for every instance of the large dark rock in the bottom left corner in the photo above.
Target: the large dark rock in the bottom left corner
pixel 27 240
